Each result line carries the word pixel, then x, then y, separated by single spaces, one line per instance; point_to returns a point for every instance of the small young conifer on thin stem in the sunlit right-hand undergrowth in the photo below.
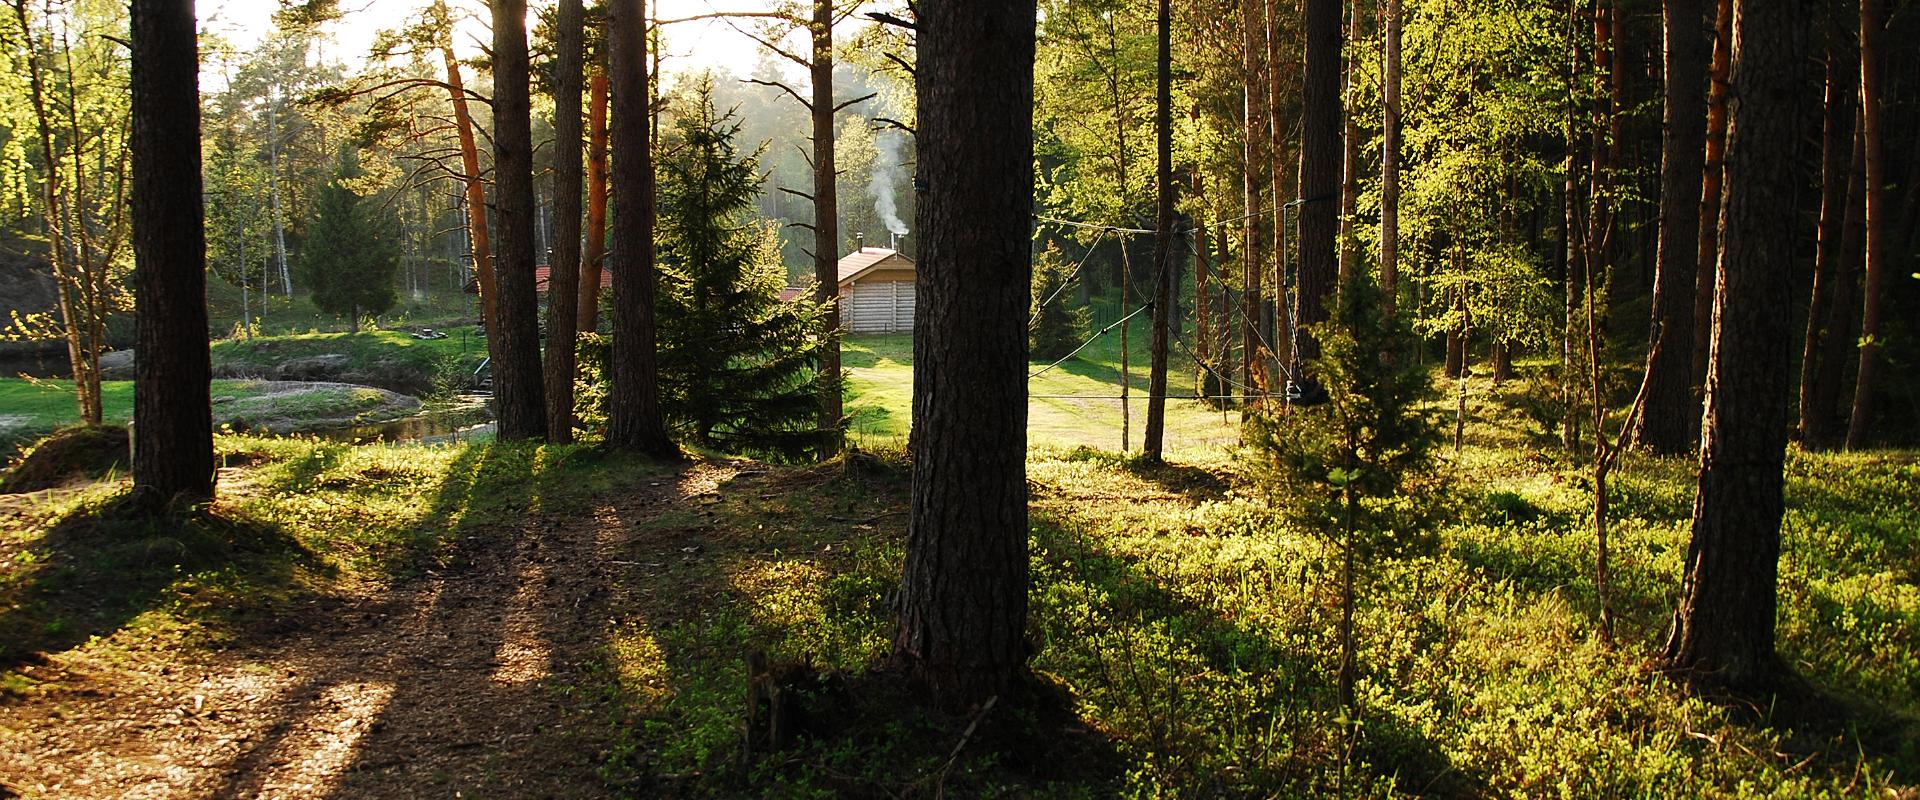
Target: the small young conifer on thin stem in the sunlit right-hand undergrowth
pixel 1347 463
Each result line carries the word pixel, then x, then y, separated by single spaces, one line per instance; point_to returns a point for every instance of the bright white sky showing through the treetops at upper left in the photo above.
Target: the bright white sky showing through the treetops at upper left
pixel 690 47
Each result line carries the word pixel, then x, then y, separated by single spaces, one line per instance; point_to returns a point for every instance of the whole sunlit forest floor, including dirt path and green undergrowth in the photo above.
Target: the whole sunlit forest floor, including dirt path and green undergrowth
pixel 508 621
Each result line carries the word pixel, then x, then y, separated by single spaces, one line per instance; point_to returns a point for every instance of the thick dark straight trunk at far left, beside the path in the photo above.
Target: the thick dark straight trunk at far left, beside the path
pixel 172 408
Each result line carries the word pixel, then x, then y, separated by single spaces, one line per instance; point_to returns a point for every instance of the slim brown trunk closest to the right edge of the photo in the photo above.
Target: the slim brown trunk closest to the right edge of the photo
pixel 1879 218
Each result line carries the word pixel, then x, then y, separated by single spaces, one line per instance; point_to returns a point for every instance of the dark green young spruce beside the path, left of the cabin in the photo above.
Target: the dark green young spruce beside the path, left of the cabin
pixel 738 365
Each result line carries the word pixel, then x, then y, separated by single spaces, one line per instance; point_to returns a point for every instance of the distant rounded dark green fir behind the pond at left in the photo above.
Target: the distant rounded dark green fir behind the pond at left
pixel 350 256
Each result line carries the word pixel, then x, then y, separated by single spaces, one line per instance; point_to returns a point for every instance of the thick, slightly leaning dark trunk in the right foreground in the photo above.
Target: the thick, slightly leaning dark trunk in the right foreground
pixel 1723 632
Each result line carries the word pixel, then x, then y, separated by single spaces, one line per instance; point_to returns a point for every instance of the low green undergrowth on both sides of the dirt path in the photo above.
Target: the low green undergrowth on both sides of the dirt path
pixel 1184 624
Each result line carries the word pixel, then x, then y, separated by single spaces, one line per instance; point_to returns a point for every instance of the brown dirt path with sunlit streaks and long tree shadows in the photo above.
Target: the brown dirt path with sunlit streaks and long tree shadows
pixel 437 688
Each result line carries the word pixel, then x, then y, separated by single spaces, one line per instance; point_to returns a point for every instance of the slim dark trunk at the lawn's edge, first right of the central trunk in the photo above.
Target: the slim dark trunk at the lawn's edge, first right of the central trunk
pixel 1157 383
